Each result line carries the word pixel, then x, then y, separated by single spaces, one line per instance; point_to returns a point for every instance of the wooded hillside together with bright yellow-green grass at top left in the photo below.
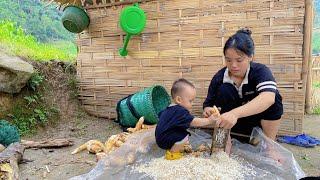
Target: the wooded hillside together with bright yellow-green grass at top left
pixel 32 29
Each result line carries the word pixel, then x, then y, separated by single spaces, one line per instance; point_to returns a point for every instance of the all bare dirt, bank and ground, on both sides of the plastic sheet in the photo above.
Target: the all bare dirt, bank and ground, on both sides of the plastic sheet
pixel 76 125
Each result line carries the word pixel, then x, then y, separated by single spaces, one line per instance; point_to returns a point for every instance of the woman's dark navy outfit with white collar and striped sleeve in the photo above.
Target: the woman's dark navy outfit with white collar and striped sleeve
pixel 224 93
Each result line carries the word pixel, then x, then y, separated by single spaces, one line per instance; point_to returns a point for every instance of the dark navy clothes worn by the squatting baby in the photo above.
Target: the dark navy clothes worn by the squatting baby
pixel 172 126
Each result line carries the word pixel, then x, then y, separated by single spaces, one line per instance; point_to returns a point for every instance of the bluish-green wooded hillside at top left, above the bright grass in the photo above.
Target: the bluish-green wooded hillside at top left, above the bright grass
pixel 37 19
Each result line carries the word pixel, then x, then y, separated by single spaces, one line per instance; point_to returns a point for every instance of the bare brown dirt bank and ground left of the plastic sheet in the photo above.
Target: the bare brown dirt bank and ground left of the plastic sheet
pixel 73 124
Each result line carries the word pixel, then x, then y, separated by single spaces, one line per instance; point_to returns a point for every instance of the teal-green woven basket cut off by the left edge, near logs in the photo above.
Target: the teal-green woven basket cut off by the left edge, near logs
pixel 8 133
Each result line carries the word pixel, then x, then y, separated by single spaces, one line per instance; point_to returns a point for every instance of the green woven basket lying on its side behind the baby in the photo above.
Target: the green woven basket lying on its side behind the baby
pixel 148 103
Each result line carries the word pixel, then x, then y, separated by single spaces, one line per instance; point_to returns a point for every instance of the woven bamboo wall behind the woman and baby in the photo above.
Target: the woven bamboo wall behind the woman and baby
pixel 185 38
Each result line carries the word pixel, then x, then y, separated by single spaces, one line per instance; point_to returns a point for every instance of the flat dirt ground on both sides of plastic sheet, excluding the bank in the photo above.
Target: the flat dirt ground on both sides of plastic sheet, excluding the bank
pixel 63 165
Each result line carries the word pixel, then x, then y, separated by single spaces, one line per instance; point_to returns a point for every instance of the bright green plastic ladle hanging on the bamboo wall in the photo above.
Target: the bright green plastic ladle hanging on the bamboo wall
pixel 132 21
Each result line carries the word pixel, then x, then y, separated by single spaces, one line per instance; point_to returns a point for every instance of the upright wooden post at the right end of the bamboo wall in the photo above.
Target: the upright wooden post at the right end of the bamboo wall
pixel 307 65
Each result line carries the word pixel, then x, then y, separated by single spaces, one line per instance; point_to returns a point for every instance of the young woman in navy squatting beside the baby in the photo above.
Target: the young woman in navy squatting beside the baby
pixel 245 91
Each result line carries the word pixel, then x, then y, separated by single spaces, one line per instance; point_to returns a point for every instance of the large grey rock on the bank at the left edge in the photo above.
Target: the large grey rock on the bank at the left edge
pixel 14 73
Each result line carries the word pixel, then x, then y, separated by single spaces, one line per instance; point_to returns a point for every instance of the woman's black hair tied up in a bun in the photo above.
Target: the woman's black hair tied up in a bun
pixel 241 41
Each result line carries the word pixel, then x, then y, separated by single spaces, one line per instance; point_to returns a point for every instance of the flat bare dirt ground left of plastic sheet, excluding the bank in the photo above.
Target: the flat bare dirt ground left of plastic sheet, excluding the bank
pixel 60 162
